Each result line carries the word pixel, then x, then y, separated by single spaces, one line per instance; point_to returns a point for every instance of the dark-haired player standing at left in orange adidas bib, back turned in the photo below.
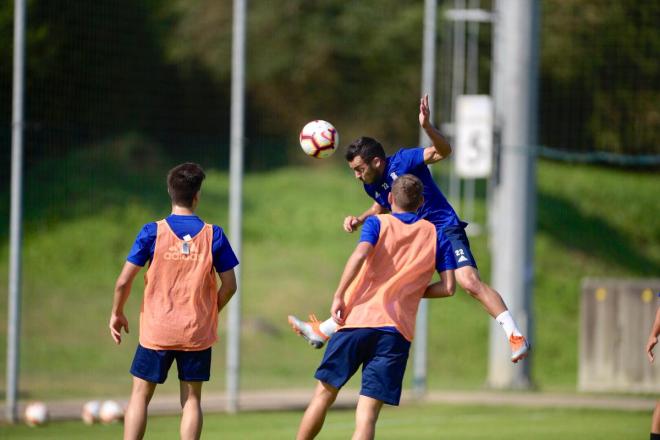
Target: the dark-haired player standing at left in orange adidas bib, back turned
pixel 181 302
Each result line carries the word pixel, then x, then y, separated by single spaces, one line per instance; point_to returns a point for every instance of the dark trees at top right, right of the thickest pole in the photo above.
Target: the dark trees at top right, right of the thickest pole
pixel 601 76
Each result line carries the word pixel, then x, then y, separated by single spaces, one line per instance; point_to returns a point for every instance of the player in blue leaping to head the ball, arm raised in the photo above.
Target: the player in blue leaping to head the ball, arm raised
pixel 367 159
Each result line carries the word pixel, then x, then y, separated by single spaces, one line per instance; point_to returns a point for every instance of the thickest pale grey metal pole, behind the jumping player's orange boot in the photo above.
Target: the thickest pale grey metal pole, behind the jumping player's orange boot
pixel 515 78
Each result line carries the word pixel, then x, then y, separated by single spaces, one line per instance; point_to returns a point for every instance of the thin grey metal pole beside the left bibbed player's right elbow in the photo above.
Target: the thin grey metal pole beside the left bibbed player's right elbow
pixel 236 196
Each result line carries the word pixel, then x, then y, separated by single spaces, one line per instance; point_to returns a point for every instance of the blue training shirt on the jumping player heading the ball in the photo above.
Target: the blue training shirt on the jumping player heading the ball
pixel 435 208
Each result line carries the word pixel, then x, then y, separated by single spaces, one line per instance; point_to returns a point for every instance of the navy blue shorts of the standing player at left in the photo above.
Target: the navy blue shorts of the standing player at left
pixel 153 365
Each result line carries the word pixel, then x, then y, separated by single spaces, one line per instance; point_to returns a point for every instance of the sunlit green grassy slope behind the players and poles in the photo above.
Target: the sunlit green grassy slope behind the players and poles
pixel 82 220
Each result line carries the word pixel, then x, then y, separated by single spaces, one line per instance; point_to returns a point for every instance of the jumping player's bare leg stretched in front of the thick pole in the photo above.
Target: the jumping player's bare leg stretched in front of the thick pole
pixel 468 279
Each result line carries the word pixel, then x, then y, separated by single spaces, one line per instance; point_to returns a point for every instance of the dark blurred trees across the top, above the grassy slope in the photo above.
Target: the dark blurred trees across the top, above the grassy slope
pixel 161 68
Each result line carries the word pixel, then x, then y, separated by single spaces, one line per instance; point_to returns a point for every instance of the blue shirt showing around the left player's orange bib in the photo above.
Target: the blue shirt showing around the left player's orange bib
pixel 142 251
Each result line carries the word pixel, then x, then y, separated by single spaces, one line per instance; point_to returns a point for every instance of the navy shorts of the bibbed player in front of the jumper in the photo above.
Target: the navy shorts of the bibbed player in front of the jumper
pixel 382 354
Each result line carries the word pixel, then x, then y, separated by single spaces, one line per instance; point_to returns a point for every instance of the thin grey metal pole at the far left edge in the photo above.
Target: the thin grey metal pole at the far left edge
pixel 15 221
